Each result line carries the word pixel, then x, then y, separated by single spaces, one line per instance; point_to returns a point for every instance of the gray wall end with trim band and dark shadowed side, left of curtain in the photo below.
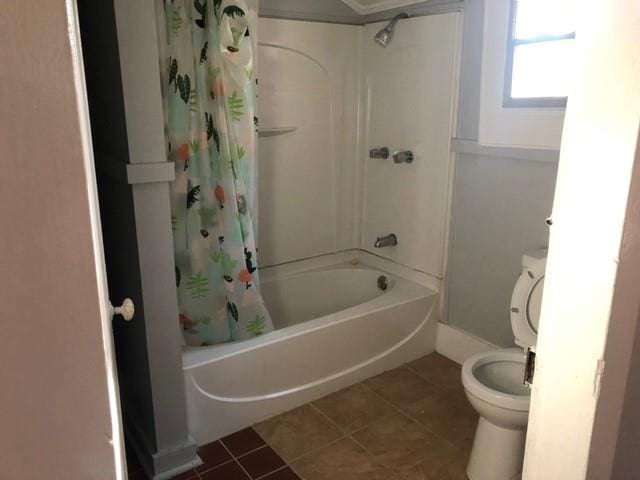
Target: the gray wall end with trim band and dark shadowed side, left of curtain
pixel 121 61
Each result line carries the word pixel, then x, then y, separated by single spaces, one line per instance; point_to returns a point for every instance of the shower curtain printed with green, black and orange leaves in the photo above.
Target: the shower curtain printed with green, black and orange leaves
pixel 209 95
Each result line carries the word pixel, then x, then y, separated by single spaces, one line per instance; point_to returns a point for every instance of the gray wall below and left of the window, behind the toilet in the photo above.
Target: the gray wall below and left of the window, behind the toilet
pixel 499 209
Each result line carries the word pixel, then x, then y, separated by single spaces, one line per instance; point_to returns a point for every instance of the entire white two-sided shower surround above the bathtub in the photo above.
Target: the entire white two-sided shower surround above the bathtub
pixel 319 191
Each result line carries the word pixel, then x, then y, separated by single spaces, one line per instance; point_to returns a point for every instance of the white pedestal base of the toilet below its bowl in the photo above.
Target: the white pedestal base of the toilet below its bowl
pixel 497 454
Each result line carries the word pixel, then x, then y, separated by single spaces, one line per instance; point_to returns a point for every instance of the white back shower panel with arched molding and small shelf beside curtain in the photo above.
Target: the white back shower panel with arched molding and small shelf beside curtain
pixel 308 74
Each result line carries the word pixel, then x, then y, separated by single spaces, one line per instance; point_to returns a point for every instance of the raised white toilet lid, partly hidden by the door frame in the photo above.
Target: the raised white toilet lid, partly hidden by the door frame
pixel 526 302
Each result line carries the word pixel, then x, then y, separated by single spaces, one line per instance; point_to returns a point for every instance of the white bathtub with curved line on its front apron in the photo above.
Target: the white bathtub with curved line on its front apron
pixel 334 326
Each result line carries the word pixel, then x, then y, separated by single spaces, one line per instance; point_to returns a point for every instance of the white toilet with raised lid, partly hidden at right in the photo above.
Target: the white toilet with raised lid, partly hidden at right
pixel 494 384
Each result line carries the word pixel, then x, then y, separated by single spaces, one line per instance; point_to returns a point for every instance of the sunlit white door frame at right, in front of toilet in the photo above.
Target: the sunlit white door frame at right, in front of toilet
pixel 575 415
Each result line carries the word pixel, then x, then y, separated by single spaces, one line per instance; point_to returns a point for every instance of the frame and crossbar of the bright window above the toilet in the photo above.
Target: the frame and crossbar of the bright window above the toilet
pixel 530 102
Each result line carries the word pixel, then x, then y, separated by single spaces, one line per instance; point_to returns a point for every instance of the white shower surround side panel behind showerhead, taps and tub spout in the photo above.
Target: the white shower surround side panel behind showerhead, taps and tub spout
pixel 409 92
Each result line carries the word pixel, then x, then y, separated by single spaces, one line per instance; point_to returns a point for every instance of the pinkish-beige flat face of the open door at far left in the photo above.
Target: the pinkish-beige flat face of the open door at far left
pixel 55 416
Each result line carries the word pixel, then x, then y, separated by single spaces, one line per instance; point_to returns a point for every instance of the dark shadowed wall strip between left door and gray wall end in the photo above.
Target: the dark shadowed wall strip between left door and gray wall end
pixel 102 72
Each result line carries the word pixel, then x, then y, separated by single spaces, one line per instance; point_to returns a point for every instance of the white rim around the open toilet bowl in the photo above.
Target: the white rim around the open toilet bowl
pixel 498 397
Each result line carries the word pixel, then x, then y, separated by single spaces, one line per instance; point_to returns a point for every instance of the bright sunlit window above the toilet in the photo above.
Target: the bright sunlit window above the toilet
pixel 540 53
